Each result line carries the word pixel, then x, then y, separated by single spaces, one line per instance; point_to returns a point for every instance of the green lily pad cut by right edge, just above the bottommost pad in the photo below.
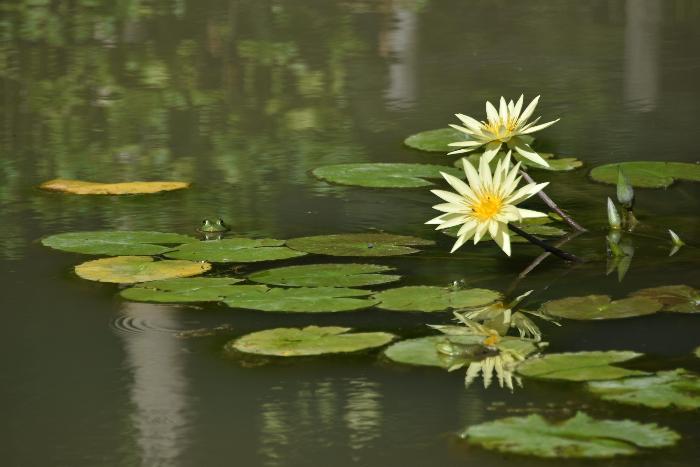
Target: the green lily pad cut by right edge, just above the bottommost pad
pixel 677 388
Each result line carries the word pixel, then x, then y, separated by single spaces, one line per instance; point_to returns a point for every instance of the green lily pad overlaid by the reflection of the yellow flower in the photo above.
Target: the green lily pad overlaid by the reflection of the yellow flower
pixel 423 351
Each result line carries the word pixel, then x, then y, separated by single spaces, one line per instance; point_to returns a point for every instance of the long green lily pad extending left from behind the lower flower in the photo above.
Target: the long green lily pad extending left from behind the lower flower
pixel 384 175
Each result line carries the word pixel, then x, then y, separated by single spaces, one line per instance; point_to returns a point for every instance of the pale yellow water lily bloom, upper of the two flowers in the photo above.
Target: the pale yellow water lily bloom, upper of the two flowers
pixel 506 125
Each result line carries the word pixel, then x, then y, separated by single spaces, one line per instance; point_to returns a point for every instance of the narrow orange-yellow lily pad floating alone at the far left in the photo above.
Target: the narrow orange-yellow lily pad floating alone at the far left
pixel 79 187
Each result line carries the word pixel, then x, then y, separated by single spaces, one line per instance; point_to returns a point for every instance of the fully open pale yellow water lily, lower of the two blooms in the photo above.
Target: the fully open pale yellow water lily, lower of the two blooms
pixel 486 204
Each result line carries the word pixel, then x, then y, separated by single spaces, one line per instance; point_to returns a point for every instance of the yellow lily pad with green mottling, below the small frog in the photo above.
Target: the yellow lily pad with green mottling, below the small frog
pixel 132 269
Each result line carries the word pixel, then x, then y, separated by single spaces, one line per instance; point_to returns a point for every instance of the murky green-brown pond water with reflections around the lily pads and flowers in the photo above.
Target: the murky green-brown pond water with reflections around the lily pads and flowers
pixel 244 99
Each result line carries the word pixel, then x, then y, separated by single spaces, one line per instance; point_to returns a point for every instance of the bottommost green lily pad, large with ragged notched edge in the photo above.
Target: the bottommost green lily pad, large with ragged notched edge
pixel 578 437
